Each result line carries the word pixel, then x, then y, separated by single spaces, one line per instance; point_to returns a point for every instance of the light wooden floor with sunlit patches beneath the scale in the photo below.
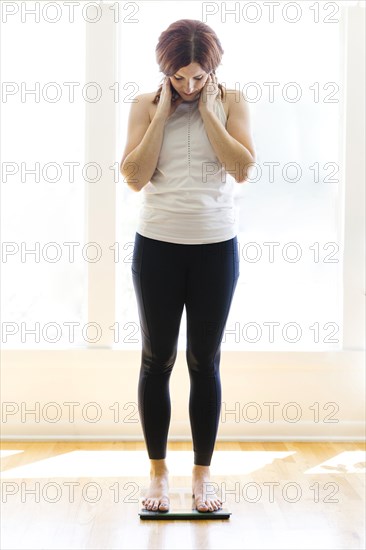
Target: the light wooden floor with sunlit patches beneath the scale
pixel 87 495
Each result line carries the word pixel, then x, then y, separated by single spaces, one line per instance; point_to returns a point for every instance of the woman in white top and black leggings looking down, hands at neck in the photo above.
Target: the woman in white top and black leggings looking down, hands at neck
pixel 181 142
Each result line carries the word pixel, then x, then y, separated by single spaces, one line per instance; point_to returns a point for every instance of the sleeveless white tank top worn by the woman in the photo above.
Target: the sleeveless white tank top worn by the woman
pixel 189 199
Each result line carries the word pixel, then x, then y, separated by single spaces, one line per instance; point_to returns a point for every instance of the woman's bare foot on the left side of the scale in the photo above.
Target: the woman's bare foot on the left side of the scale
pixel 157 494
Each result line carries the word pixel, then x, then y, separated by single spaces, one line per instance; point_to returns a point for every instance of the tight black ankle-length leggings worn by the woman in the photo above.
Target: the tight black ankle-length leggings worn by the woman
pixel 166 276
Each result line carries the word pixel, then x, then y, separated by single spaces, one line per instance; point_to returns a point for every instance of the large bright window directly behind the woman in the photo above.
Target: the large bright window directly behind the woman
pixel 289 291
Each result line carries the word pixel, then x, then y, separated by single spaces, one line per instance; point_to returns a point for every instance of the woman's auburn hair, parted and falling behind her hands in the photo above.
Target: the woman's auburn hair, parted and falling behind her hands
pixel 187 41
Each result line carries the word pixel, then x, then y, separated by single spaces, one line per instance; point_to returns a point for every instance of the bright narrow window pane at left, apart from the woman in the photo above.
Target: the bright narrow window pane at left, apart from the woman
pixel 43 121
